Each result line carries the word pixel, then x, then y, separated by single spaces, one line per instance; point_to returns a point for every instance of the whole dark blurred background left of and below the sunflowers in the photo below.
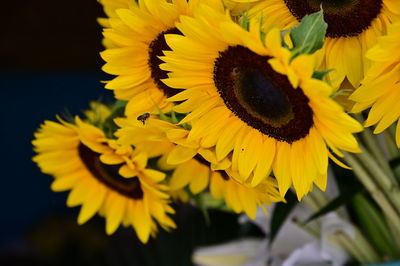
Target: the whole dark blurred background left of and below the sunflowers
pixel 50 65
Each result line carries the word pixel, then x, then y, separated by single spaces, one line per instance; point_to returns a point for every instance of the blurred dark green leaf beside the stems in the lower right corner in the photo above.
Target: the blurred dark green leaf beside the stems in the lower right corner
pixel 374 226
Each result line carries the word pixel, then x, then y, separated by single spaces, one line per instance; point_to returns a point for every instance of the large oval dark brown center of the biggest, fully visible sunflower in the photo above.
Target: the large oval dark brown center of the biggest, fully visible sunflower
pixel 261 97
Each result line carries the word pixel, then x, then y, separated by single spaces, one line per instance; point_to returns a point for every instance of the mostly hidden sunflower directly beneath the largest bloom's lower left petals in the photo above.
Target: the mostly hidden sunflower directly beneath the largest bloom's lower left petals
pixel 194 165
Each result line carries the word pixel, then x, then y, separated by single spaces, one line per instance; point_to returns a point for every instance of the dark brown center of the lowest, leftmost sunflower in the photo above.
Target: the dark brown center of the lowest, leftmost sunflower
pixel 108 174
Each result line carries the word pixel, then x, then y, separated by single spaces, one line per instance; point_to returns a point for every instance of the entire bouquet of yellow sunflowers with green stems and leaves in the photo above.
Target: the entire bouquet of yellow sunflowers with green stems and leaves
pixel 243 106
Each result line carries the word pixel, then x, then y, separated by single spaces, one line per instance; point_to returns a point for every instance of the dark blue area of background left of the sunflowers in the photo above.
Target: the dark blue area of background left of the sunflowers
pixel 29 99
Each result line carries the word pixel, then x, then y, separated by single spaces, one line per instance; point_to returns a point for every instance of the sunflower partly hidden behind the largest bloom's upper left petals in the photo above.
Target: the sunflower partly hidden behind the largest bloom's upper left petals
pixel 137 37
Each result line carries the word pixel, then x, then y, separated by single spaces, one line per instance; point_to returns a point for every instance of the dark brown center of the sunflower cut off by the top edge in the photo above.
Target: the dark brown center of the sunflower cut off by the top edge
pixel 345 18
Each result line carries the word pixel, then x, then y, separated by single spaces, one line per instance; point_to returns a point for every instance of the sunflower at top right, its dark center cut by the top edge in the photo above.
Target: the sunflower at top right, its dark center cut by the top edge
pixel 353 28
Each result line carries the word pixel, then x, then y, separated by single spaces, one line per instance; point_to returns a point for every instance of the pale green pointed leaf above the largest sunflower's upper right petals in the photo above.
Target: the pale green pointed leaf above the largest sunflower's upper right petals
pixel 309 35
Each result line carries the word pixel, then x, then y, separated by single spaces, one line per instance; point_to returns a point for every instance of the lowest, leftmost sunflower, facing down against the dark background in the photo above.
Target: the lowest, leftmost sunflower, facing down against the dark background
pixel 103 177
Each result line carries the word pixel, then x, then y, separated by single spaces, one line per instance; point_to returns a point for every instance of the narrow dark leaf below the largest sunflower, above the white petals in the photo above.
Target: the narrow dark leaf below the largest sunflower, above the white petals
pixel 279 214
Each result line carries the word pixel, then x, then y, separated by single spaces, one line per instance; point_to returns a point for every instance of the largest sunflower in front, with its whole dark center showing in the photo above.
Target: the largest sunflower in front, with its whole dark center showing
pixel 259 110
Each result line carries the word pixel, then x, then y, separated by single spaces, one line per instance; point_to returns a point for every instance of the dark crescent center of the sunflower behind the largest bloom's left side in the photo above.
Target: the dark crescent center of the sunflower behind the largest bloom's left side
pixel 156 48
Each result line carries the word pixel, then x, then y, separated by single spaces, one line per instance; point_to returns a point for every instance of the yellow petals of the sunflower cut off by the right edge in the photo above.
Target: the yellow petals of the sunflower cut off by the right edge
pixel 381 87
